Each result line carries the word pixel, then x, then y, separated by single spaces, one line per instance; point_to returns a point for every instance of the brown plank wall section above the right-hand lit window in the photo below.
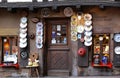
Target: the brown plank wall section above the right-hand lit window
pixel 105 20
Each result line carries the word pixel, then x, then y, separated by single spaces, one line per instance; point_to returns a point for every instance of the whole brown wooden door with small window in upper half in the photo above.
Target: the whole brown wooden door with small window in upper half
pixel 57 45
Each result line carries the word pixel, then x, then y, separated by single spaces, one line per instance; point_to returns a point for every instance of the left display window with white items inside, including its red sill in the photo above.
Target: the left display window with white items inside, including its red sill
pixel 9 51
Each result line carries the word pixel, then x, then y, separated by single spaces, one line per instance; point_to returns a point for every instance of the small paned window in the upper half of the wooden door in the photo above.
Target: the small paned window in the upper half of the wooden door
pixel 59 34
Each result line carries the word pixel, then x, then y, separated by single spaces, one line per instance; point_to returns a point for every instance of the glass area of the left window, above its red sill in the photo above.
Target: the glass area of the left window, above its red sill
pixel 10 49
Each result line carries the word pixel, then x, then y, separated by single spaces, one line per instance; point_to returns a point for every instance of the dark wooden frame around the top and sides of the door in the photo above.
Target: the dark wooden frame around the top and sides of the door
pixel 45 69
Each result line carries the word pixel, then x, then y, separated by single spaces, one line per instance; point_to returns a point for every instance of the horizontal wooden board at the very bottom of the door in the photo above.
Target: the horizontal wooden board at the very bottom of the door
pixel 58 73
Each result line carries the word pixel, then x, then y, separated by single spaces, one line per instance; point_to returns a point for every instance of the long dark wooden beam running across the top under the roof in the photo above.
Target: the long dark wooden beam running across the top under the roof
pixel 58 3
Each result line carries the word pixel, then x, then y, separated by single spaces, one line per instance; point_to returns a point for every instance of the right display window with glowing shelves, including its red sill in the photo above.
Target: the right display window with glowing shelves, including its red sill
pixel 101 53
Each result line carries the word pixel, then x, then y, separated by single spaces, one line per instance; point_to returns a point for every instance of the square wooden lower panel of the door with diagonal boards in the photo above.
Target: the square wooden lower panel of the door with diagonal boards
pixel 58 60
